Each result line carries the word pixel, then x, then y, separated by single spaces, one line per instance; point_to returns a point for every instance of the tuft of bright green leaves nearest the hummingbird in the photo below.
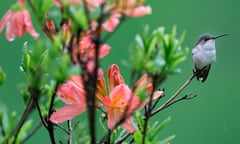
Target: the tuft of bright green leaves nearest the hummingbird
pixel 158 53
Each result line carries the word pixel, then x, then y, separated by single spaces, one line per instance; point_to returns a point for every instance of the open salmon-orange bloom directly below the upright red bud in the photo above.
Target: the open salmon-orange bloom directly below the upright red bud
pixel 120 100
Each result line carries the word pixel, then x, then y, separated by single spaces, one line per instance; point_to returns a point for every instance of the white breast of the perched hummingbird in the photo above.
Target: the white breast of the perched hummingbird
pixel 204 53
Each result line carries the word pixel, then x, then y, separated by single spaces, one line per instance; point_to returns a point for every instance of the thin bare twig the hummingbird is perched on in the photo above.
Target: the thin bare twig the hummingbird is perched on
pixel 171 99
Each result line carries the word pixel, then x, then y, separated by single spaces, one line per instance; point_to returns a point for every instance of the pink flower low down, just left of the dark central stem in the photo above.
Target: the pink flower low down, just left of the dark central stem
pixel 73 95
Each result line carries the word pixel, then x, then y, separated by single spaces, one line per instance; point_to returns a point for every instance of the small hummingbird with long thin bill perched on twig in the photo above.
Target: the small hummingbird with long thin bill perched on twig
pixel 204 54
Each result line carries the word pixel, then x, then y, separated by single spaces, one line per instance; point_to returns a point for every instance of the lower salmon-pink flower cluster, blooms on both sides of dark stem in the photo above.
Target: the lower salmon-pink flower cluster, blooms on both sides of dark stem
pixel 120 101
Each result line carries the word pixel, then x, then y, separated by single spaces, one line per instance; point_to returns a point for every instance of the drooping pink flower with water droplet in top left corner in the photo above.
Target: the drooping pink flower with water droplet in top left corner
pixel 17 23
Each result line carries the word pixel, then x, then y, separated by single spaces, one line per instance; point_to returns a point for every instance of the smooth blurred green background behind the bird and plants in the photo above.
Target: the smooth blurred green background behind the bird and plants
pixel 211 118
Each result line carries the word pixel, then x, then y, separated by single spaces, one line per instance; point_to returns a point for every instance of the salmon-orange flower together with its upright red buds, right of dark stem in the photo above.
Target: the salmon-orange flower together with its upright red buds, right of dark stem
pixel 123 101
